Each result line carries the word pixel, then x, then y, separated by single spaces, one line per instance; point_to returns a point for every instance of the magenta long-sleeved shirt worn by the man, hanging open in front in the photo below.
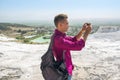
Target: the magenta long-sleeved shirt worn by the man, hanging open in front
pixel 67 43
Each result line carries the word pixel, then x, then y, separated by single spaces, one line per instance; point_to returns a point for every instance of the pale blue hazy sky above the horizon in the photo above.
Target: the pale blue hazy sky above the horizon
pixel 34 10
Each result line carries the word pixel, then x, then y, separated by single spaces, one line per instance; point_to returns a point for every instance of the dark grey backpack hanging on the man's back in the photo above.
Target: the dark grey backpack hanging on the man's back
pixel 51 69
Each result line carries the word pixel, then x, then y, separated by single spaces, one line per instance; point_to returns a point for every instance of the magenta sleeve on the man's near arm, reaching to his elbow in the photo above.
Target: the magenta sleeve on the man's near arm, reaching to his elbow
pixel 67 44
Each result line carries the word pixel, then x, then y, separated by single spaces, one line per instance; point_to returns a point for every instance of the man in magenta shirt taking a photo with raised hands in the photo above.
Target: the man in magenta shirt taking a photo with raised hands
pixel 67 43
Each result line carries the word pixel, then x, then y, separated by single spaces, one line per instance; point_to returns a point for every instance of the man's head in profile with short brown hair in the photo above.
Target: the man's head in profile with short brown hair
pixel 61 22
